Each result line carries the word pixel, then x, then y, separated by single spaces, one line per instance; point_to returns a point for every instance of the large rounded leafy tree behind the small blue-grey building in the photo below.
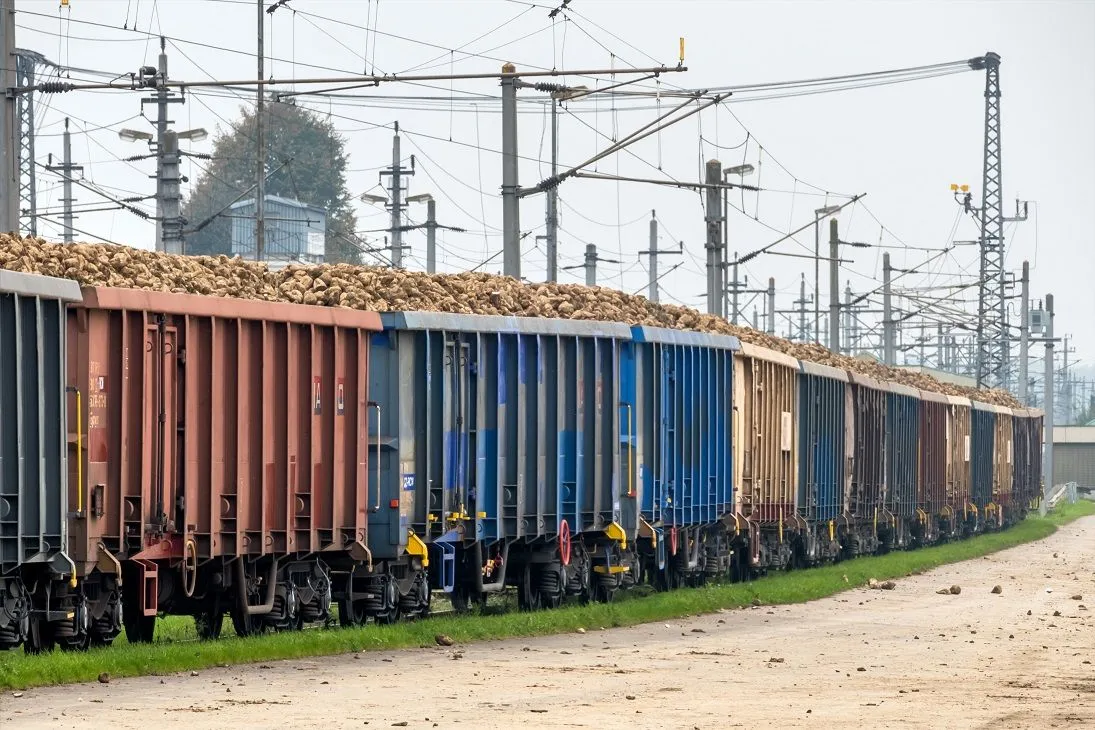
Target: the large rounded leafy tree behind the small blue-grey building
pixel 309 161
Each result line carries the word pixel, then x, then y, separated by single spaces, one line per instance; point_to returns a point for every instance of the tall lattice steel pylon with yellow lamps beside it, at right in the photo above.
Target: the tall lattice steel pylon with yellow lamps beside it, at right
pixel 994 364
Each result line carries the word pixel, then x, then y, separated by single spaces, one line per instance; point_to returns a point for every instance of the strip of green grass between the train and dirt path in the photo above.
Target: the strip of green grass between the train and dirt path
pixel 175 652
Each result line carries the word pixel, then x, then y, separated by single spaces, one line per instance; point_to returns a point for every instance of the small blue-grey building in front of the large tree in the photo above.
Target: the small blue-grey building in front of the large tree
pixel 295 231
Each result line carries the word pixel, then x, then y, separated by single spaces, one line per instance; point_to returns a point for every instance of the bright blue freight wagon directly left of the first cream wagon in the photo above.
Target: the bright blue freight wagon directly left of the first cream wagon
pixel 679 387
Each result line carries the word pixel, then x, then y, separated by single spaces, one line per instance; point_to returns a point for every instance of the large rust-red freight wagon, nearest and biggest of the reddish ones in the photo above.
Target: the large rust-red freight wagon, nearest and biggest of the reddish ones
pixel 227 455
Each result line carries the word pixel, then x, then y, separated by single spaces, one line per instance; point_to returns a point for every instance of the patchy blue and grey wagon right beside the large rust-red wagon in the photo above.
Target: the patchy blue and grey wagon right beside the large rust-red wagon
pixel 504 460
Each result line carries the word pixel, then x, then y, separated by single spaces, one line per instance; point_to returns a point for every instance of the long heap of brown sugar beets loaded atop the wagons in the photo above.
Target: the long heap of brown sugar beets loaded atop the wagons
pixel 385 291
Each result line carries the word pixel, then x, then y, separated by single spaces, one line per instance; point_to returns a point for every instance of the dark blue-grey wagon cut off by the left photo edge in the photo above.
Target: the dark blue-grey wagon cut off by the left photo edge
pixel 34 562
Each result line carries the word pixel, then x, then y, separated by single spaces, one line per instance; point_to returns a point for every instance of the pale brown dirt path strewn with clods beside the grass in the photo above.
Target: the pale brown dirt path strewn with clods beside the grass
pixel 906 658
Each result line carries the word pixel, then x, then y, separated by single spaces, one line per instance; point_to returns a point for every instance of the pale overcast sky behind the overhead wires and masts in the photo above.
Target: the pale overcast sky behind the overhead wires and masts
pixel 902 145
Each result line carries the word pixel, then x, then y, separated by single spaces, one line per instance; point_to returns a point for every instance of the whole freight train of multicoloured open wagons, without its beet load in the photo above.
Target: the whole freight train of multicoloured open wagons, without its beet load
pixel 169 454
